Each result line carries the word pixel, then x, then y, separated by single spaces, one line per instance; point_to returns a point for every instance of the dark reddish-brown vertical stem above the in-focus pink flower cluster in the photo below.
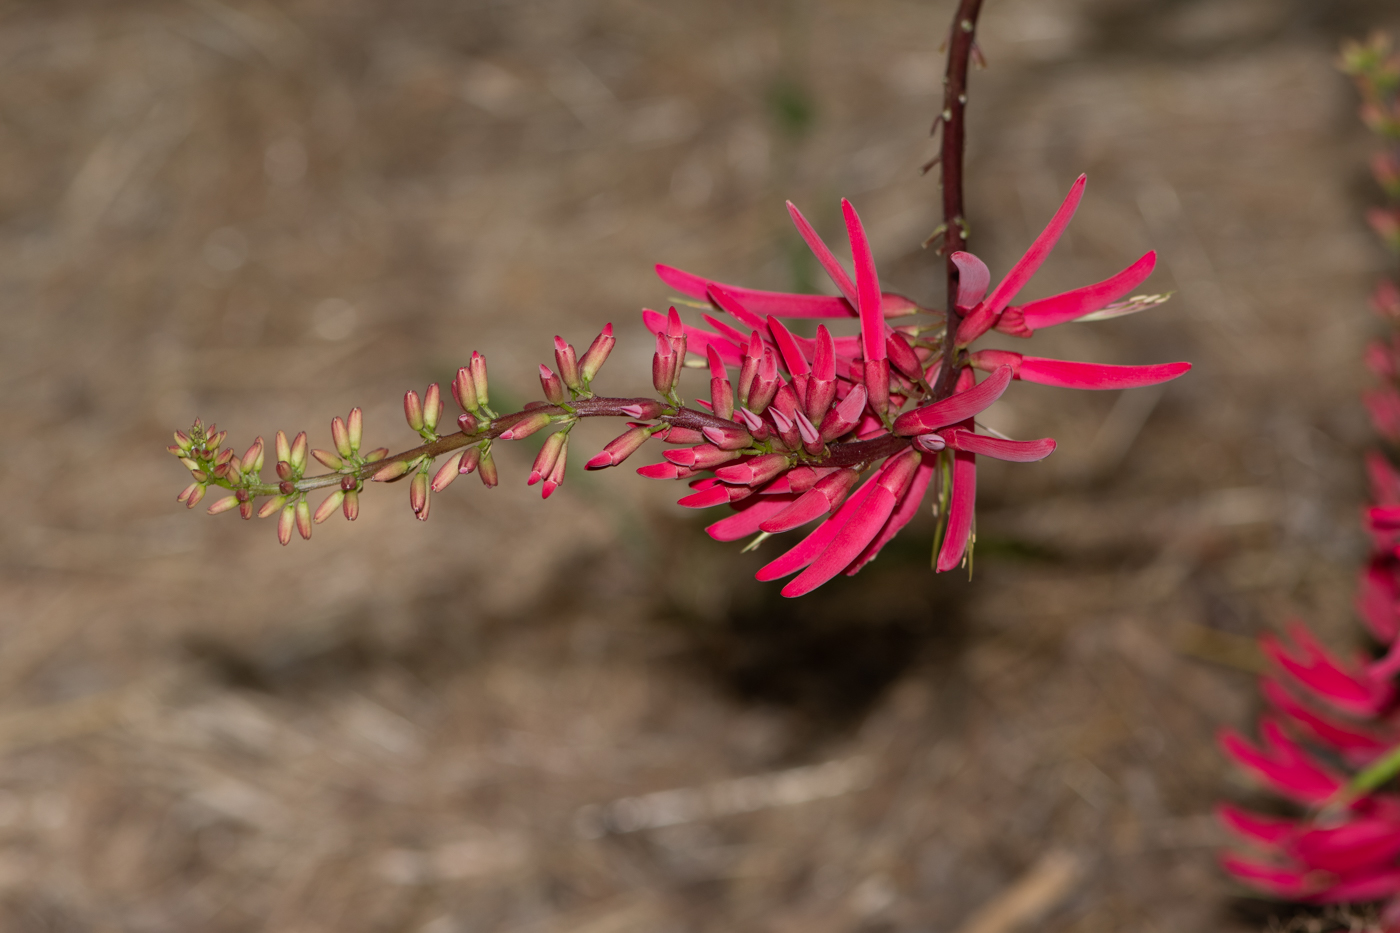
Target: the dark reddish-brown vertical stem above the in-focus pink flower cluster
pixel 955 103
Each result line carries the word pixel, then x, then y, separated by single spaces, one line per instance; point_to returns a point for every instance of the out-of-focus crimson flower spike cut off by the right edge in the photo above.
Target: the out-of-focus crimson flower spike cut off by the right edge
pixel 1331 742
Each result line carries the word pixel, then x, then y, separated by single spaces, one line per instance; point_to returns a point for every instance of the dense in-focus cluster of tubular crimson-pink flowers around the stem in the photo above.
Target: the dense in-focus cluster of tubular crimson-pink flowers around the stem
pixel 820 413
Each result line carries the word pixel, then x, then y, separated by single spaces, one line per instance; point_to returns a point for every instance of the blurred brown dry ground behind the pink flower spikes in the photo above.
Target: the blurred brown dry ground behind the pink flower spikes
pixel 584 715
